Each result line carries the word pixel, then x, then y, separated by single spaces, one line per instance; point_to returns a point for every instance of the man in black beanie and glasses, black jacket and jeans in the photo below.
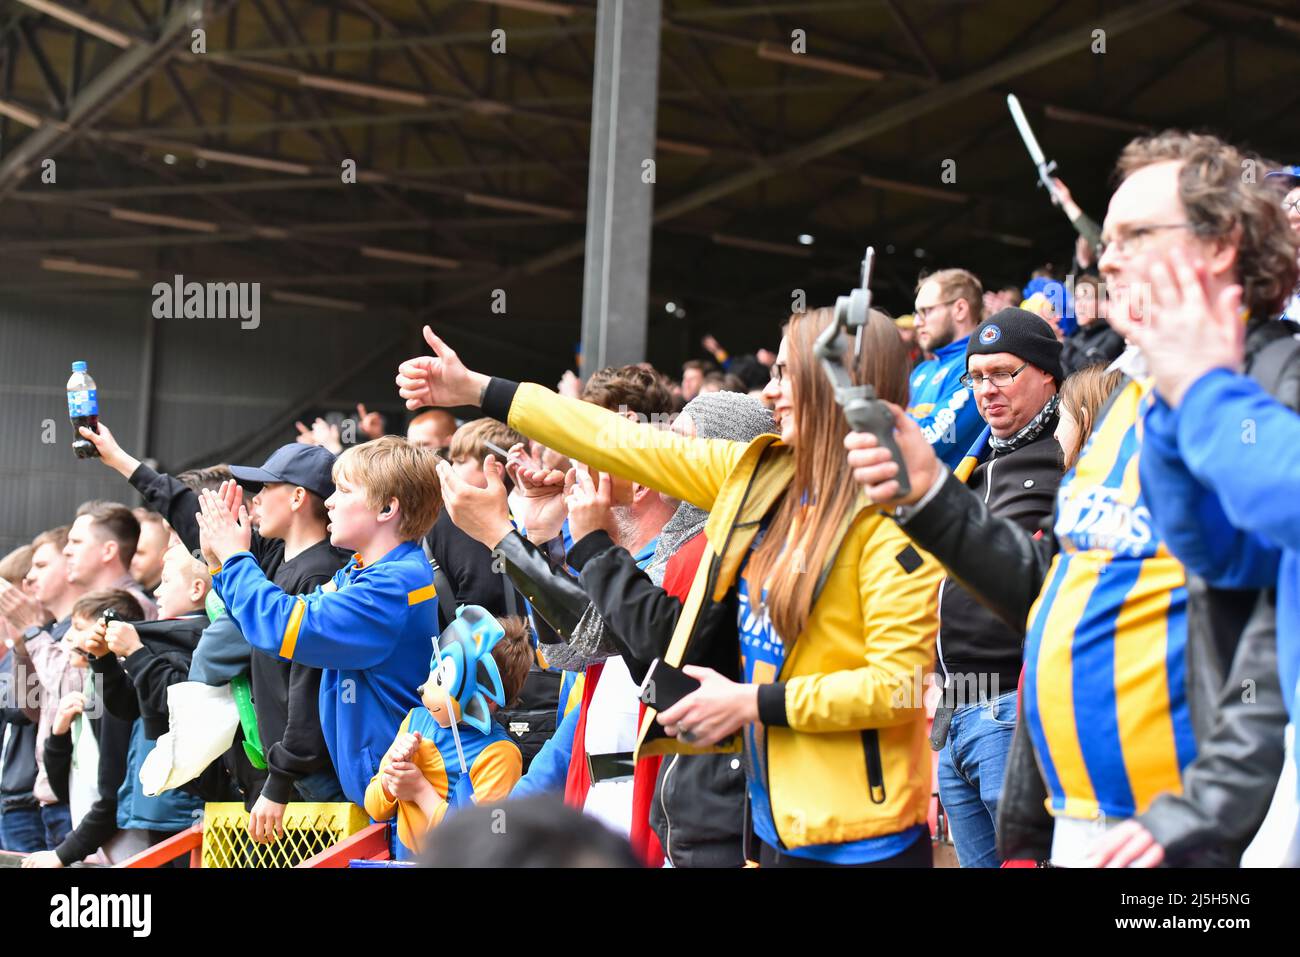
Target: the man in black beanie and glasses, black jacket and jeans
pixel 1013 370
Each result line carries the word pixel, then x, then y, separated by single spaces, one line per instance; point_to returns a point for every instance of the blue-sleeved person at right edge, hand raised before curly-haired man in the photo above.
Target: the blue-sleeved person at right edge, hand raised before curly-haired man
pixel 1221 454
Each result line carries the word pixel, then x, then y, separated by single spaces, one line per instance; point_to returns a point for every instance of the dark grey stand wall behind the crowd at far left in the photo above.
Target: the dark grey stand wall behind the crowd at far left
pixel 214 384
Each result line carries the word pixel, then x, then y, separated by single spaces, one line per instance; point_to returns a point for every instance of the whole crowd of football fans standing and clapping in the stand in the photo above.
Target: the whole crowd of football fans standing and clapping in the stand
pixel 701 613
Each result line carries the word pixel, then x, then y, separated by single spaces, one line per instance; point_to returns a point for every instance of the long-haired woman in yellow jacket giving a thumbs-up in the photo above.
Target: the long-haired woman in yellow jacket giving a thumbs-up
pixel 835 612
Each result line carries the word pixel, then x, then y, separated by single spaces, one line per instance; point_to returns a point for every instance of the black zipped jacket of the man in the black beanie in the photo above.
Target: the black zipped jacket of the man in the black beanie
pixel 1021 487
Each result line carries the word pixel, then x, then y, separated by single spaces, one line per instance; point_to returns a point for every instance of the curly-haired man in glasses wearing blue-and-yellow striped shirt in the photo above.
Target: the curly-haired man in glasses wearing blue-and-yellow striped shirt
pixel 1115 701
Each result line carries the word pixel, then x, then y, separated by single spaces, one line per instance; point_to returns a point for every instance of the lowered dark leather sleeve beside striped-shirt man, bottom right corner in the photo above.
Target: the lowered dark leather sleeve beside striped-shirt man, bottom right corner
pixel 1229 787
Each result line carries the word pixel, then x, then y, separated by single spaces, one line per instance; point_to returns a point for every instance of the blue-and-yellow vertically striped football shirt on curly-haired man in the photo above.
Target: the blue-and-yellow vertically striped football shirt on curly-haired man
pixel 1104 683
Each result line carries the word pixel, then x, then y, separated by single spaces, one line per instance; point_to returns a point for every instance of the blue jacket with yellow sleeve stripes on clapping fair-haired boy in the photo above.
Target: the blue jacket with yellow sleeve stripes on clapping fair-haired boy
pixel 370 629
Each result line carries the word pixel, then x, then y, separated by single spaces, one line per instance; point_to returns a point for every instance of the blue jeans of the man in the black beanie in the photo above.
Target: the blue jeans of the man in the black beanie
pixel 970 777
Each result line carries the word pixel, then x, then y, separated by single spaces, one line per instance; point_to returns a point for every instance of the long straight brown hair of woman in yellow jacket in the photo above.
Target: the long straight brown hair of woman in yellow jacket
pixel 795 548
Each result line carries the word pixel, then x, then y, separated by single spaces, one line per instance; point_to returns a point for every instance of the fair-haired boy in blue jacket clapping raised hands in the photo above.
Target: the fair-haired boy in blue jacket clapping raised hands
pixel 371 627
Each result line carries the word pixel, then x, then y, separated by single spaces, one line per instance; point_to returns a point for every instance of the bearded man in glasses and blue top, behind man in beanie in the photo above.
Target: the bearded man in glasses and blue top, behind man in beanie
pixel 950 305
